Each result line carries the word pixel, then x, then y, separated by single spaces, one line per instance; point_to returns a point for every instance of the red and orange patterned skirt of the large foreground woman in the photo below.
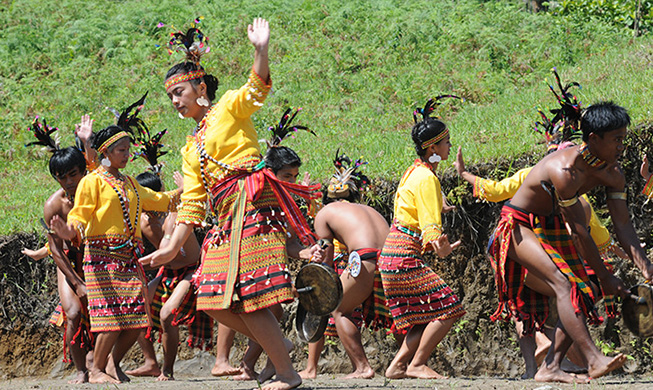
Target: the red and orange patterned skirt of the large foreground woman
pixel 263 278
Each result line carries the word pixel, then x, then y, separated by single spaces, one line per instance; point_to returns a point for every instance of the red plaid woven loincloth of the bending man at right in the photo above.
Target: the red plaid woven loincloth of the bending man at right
pixel 517 300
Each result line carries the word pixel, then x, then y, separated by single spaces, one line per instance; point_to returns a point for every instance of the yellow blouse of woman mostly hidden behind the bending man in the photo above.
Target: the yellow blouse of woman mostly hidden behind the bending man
pixel 497 191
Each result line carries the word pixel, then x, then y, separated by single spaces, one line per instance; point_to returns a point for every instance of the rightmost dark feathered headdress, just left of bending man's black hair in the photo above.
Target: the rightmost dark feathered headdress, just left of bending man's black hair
pixel 564 125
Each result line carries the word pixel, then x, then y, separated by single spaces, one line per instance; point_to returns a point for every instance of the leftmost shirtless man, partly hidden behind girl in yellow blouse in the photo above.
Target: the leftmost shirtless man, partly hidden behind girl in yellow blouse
pixel 67 167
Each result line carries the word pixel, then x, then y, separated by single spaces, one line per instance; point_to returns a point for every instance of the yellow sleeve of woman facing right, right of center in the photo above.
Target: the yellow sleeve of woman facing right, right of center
pixel 428 202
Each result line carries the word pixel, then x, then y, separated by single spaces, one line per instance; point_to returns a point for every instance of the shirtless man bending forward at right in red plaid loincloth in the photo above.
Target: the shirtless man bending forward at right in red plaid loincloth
pixel 549 197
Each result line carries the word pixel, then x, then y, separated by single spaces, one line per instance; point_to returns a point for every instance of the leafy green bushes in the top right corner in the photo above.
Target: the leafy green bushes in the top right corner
pixel 621 13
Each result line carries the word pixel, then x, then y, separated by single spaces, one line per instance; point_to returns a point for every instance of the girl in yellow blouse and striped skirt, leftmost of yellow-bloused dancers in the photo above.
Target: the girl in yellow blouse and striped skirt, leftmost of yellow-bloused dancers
pixel 105 218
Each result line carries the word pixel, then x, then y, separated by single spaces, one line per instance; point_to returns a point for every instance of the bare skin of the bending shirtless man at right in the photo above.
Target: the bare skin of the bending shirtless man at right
pixel 571 176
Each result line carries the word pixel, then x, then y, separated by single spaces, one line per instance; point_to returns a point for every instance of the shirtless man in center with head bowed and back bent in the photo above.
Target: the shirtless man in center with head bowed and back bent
pixel 362 230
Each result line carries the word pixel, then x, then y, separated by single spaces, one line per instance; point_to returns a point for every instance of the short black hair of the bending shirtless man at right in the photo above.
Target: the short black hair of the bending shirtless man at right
pixel 603 117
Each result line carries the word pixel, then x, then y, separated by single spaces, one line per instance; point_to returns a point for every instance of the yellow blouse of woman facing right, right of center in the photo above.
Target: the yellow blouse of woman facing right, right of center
pixel 418 202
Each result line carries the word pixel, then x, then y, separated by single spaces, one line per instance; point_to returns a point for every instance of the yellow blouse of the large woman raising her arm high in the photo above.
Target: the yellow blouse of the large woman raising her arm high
pixel 227 135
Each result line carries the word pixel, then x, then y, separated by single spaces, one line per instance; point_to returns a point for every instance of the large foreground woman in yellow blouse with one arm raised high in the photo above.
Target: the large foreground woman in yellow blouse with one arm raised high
pixel 243 271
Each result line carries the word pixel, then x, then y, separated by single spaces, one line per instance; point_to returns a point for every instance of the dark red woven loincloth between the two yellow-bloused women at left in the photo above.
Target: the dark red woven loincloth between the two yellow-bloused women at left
pixel 200 325
